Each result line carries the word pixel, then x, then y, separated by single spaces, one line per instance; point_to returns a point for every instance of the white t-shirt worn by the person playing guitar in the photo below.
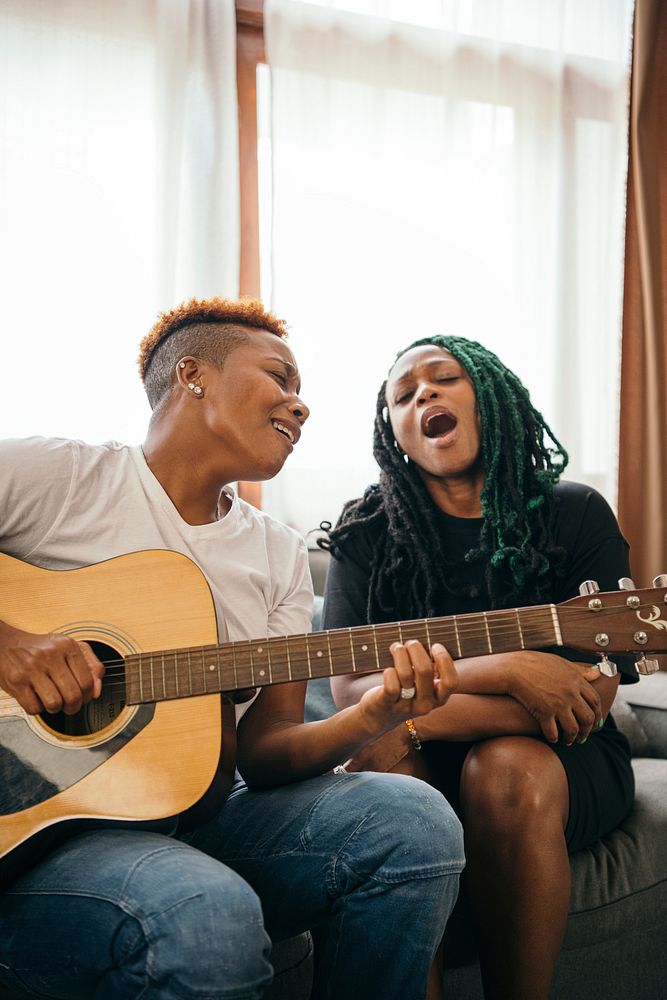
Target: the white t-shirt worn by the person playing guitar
pixel 65 504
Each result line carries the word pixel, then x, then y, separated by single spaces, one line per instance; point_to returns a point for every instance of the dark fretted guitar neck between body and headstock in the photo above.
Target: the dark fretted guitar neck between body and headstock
pixel 233 666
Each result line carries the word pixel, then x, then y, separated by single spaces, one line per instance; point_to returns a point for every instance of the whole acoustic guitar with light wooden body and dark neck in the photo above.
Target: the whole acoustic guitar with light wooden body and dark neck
pixel 159 743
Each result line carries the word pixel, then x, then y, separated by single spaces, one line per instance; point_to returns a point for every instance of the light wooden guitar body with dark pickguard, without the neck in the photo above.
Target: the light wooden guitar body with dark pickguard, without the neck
pixel 111 762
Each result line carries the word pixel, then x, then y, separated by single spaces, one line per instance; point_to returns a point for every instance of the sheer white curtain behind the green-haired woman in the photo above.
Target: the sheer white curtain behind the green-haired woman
pixel 445 167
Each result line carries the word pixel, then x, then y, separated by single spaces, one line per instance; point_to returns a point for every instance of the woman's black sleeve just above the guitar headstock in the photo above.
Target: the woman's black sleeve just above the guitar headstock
pixel 596 550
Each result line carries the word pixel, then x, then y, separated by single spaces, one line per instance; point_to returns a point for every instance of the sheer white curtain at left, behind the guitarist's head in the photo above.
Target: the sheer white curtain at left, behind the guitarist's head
pixel 118 197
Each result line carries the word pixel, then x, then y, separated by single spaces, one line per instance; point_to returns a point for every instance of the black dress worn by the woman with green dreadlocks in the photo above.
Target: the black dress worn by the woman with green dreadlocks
pixel 599 773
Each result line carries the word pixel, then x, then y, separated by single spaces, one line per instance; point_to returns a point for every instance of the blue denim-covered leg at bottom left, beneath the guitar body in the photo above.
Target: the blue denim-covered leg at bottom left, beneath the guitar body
pixel 130 913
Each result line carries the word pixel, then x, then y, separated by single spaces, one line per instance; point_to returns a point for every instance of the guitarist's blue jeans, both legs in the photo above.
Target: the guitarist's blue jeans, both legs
pixel 121 914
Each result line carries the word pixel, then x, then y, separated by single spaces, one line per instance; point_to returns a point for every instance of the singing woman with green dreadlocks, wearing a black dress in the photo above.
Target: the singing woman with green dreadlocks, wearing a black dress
pixel 469 515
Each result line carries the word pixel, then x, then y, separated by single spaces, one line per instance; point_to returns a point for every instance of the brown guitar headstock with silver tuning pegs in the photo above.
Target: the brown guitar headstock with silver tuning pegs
pixel 627 620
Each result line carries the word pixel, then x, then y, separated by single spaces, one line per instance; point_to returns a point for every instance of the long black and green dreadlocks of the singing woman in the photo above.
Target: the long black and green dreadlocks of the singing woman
pixel 516 544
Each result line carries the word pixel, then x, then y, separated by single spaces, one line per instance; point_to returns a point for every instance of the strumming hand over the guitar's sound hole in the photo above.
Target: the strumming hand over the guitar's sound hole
pixel 51 673
